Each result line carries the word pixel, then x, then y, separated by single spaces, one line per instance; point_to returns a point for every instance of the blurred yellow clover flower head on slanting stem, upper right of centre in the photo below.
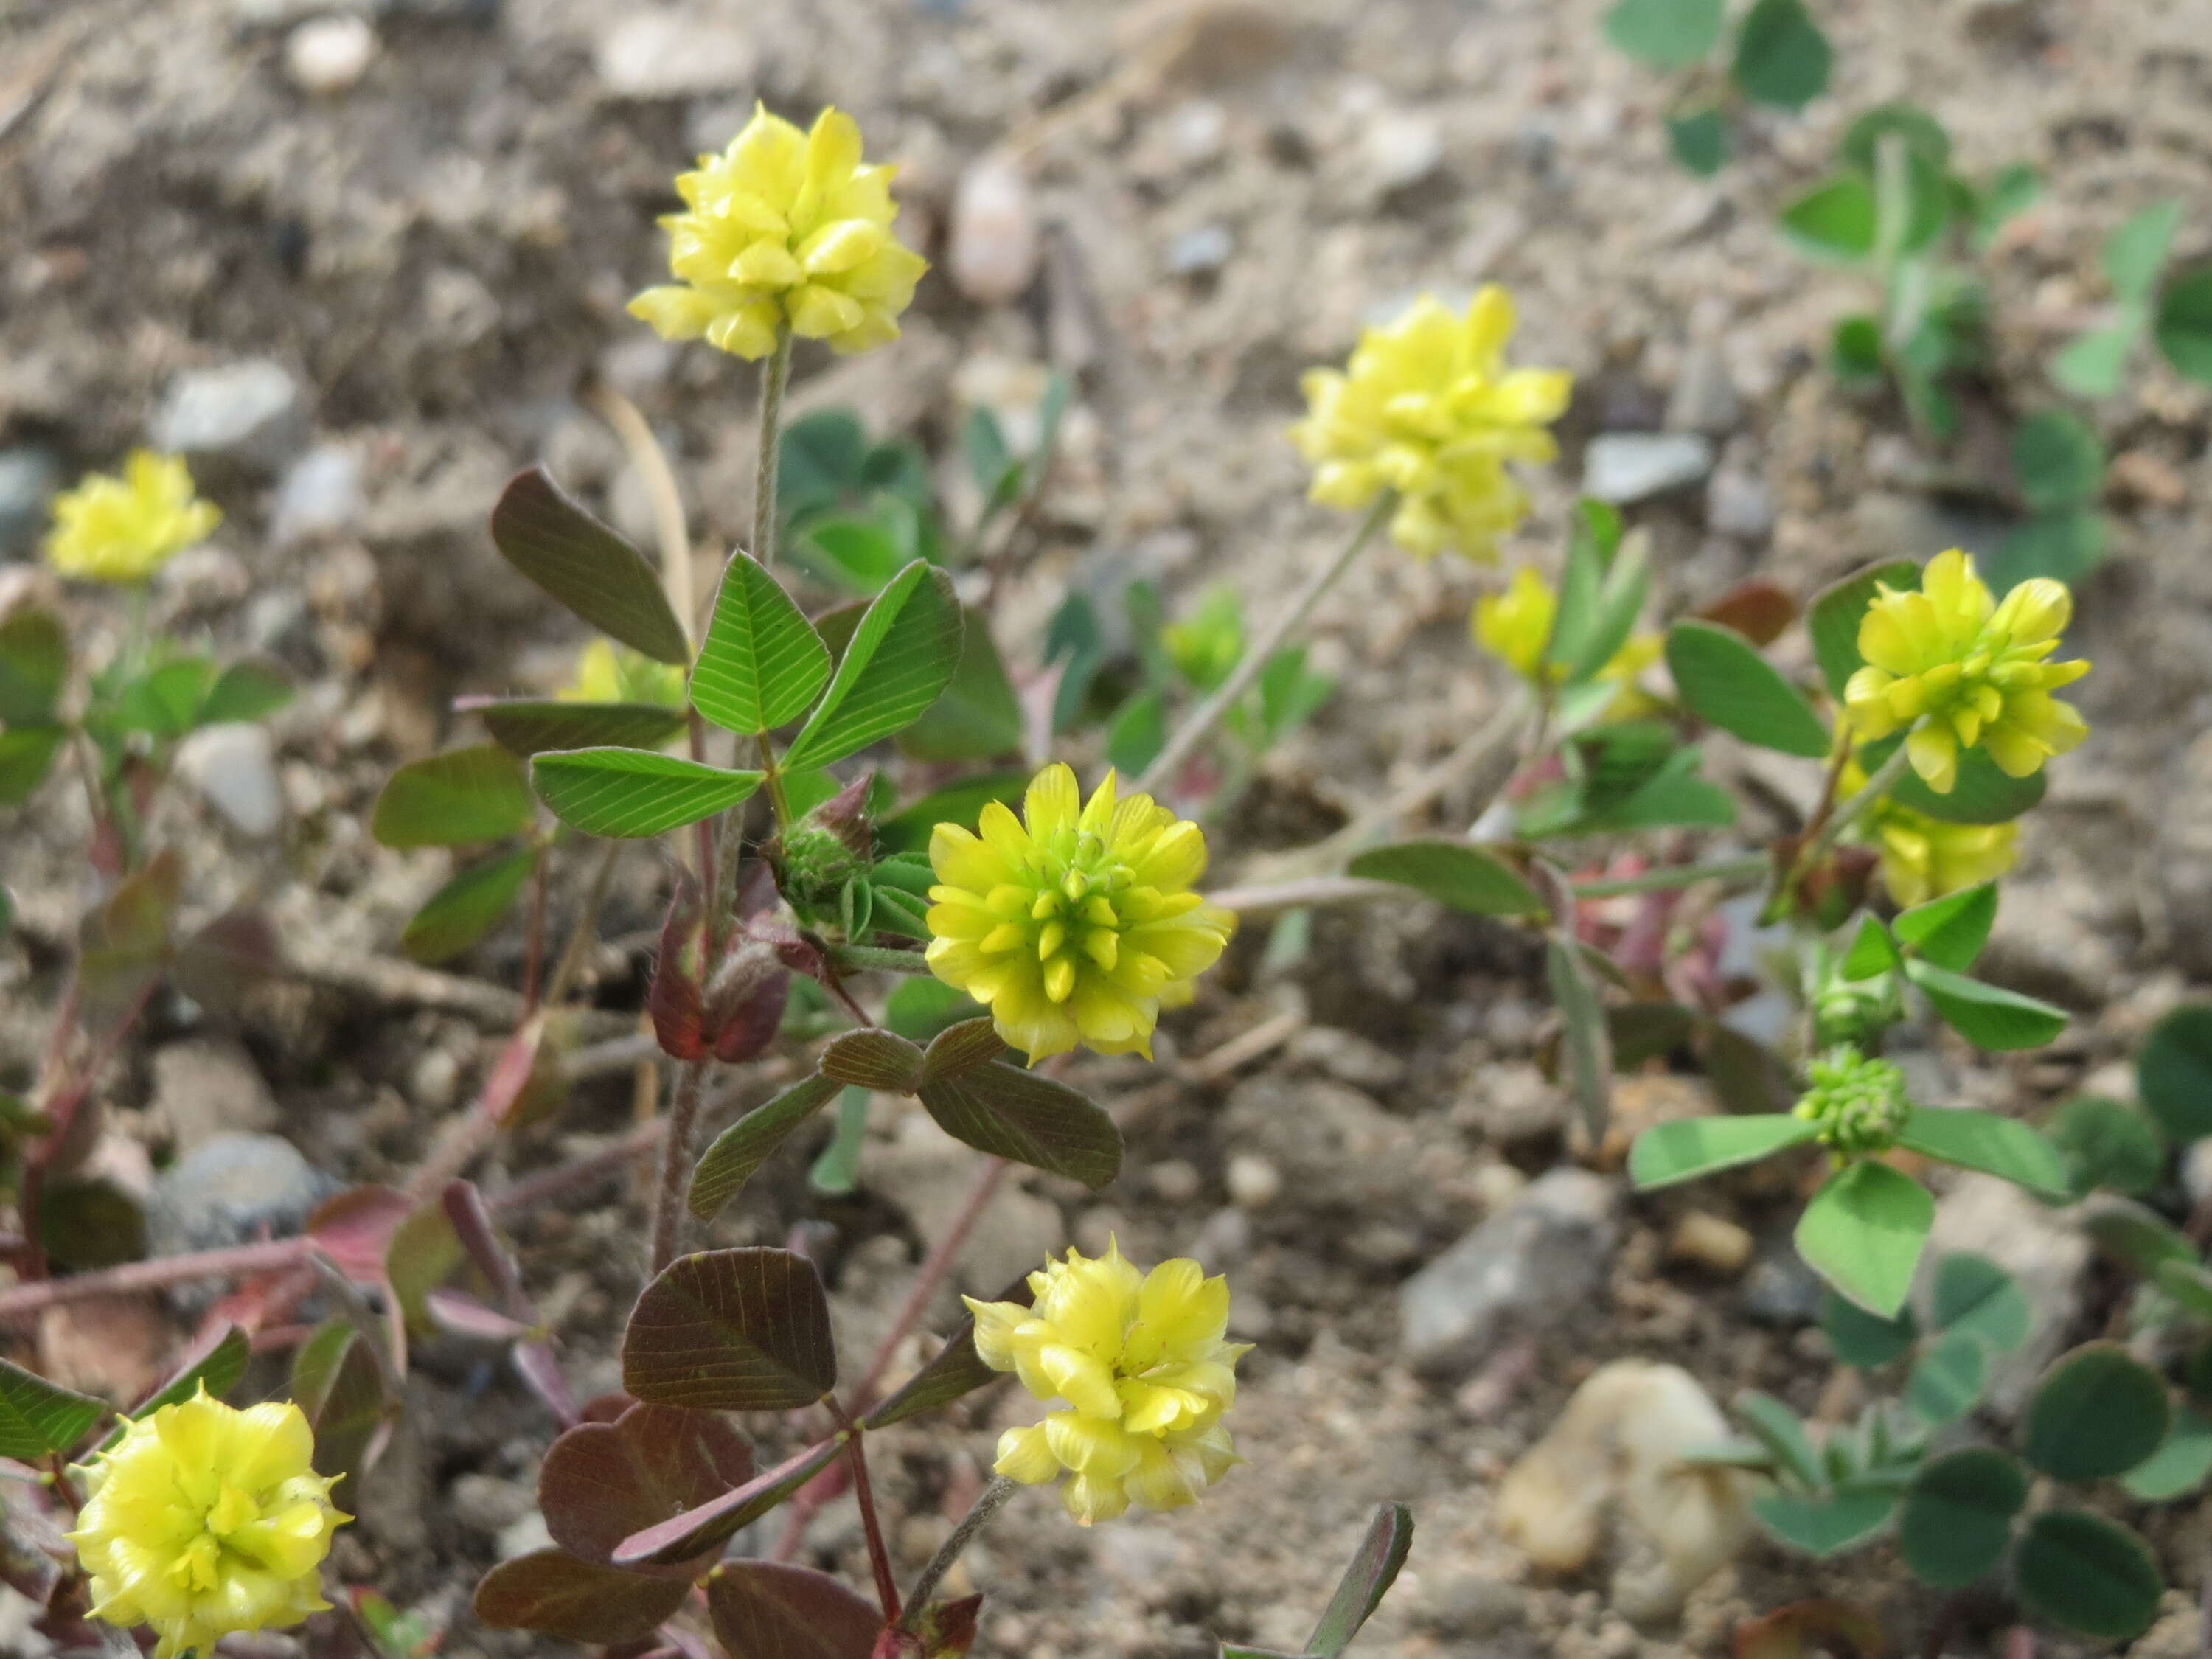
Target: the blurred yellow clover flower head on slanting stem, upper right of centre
pixel 1430 408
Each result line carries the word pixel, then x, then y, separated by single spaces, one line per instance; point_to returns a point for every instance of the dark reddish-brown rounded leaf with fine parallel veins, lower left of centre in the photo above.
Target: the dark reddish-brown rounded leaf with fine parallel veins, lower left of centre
pixel 731 1331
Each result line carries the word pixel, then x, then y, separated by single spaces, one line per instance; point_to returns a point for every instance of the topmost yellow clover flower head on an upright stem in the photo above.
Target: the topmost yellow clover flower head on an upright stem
pixel 784 229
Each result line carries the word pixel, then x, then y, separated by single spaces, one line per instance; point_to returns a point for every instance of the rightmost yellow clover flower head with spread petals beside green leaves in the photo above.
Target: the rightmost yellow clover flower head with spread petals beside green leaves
pixel 1957 671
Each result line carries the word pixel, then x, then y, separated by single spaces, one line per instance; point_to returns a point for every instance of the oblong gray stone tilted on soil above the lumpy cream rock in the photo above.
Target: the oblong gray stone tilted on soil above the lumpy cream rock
pixel 1527 1269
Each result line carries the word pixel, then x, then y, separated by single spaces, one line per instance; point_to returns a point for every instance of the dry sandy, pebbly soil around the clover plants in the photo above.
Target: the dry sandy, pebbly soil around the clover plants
pixel 439 255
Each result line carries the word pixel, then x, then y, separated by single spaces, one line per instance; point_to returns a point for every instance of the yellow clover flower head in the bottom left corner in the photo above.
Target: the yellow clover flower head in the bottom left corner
pixel 207 1521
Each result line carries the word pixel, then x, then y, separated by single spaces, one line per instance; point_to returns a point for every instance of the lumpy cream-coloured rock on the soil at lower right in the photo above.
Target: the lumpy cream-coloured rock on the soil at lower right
pixel 1618 1454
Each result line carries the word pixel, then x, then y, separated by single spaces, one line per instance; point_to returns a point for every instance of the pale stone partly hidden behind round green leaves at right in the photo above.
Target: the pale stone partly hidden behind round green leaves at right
pixel 2043 1249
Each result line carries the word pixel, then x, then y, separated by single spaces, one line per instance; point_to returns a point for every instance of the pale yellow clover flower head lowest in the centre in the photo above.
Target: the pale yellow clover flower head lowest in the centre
pixel 1142 1370
